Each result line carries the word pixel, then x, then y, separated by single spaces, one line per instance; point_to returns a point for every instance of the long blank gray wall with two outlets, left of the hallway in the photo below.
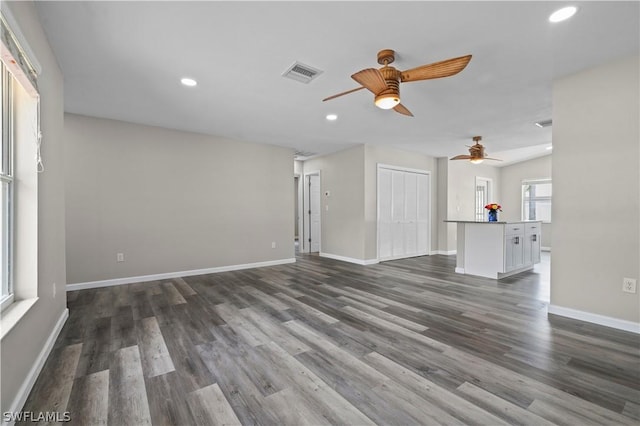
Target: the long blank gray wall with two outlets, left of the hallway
pixel 171 201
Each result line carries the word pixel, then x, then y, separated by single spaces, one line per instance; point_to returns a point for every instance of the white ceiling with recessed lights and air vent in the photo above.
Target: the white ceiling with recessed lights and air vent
pixel 124 60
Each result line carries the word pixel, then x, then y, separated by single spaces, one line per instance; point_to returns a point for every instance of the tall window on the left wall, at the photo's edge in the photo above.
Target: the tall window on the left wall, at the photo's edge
pixel 7 189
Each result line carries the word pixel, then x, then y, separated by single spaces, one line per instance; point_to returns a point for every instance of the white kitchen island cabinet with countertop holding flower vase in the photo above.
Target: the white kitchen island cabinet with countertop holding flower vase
pixel 497 249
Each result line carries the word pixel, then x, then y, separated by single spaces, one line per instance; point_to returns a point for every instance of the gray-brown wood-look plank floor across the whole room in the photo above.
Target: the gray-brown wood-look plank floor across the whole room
pixel 325 342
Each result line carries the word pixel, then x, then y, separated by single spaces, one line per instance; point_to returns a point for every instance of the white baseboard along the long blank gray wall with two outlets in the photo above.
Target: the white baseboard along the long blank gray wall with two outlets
pixel 169 275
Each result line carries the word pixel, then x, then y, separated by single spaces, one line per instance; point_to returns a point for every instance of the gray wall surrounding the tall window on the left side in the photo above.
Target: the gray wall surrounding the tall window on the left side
pixel 20 347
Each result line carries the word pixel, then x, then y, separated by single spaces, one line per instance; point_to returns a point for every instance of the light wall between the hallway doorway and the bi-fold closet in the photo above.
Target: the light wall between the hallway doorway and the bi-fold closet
pixel 342 225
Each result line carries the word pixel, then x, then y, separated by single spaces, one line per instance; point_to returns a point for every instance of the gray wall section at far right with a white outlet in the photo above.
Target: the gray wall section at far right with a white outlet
pixel 596 184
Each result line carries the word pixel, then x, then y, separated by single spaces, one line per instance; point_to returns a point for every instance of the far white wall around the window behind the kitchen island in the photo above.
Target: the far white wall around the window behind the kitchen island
pixel 511 178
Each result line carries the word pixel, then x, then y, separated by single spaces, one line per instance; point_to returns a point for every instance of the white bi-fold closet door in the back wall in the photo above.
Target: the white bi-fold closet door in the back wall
pixel 403 213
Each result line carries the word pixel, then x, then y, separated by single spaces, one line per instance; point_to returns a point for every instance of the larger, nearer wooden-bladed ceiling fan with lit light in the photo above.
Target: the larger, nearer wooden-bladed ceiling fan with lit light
pixel 385 82
